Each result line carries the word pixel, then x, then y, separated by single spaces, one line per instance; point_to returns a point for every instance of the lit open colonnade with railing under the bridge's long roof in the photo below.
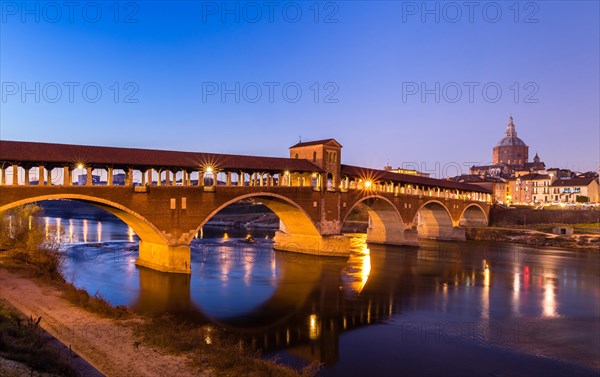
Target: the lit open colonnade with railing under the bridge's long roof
pixel 209 179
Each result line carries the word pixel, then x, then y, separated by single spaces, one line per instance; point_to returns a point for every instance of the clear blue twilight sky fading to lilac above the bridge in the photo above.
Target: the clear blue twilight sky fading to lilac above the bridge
pixel 416 84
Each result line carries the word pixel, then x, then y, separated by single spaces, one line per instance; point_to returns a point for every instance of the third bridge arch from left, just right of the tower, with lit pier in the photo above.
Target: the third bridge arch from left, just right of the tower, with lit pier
pixel 385 224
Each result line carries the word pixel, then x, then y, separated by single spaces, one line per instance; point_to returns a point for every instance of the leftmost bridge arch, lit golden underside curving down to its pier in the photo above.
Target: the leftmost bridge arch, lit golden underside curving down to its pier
pixel 140 225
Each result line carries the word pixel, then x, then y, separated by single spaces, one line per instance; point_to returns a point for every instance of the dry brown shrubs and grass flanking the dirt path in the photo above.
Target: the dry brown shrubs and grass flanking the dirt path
pixel 26 248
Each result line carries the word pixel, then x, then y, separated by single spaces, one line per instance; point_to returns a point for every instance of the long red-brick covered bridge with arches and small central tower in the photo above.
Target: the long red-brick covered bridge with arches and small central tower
pixel 166 197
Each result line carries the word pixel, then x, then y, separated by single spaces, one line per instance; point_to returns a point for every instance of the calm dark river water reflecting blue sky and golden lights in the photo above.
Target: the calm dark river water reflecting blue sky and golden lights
pixel 445 309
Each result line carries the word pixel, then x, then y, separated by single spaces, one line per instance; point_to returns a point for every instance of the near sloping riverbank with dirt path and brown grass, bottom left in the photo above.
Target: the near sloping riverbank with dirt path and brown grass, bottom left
pixel 133 345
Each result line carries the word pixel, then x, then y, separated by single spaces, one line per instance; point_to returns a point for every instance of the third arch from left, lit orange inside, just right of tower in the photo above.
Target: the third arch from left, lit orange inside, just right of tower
pixel 386 225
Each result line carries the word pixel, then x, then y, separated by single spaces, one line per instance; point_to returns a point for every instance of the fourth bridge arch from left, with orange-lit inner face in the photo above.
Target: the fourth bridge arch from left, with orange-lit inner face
pixel 433 221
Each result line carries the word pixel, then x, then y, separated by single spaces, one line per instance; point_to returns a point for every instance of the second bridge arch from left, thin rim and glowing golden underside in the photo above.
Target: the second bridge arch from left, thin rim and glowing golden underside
pixel 295 219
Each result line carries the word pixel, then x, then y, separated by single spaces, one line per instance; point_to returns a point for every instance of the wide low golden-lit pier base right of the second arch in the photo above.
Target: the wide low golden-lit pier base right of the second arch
pixel 314 245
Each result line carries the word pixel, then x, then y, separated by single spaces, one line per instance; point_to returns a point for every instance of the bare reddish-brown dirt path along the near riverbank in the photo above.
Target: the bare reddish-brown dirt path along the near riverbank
pixel 107 345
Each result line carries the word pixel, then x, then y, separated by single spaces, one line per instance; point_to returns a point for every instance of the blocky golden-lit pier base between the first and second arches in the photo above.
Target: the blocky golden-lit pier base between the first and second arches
pixel 165 258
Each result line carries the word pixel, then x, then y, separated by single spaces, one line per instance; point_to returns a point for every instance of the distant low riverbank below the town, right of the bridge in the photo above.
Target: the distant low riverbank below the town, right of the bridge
pixel 535 238
